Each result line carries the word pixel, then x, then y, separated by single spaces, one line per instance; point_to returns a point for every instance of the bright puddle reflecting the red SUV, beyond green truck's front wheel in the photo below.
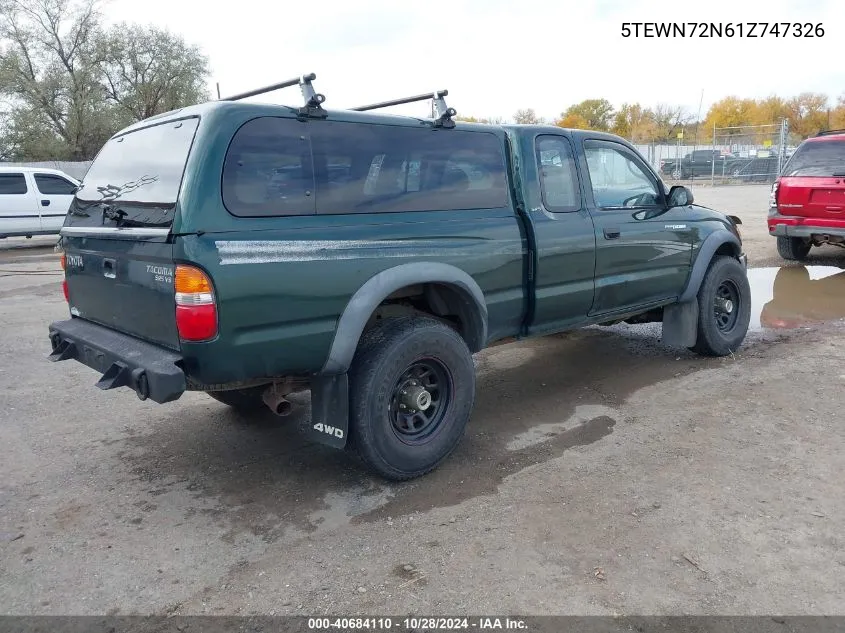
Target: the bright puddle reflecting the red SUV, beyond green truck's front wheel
pixel 796 296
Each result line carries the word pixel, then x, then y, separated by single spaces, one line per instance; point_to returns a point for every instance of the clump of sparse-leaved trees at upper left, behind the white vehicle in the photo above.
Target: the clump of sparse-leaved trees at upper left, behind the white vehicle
pixel 70 84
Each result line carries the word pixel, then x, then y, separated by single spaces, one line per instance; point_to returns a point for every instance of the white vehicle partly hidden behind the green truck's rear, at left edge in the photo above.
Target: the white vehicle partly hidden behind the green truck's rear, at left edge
pixel 33 200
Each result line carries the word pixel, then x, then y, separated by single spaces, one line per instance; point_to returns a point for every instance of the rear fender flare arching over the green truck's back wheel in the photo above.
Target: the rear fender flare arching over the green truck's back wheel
pixel 366 299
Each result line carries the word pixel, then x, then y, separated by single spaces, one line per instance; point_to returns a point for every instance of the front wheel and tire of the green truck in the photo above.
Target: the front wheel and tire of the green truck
pixel 722 325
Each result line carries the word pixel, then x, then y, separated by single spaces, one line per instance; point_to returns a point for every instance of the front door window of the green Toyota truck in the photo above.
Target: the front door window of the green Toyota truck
pixel 617 178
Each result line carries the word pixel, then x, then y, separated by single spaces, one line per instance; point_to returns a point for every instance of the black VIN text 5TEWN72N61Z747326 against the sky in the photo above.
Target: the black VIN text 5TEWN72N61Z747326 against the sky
pixel 722 29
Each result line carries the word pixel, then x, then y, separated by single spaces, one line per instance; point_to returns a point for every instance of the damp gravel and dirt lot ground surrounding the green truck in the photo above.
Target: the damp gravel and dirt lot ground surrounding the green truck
pixel 601 474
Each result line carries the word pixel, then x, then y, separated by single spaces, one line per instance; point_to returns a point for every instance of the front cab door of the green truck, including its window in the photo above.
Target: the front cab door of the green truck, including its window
pixel 643 251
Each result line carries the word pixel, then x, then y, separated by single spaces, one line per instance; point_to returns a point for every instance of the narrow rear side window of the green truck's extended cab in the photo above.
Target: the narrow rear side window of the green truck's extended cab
pixel 558 179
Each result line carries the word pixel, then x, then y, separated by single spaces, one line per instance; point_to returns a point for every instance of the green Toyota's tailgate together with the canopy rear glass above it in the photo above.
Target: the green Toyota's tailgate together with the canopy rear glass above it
pixel 116 237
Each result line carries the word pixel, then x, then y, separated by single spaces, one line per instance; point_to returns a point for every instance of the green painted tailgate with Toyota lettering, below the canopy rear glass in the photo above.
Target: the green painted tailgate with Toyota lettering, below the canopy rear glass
pixel 123 284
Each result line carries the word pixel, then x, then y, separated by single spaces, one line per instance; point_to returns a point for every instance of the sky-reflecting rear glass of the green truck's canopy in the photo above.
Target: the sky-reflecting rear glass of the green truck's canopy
pixel 135 179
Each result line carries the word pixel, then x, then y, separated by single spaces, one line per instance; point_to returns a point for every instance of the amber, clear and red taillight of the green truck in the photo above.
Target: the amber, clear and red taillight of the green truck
pixel 196 312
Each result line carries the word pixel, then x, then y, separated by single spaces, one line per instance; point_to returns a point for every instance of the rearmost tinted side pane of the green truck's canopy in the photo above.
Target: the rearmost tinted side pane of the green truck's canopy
pixel 268 169
